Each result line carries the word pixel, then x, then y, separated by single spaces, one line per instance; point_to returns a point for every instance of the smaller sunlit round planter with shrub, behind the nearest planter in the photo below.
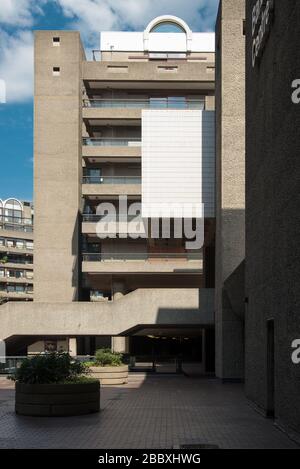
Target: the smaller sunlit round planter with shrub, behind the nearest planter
pixel 108 367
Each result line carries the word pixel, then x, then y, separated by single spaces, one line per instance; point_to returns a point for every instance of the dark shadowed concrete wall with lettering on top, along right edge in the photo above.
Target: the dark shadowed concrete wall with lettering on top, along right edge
pixel 272 210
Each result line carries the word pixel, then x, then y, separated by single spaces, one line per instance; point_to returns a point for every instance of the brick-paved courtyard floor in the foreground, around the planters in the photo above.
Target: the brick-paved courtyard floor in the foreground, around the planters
pixel 159 412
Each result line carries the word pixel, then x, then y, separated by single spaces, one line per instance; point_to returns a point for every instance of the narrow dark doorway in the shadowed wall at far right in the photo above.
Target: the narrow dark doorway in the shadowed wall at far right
pixel 270 369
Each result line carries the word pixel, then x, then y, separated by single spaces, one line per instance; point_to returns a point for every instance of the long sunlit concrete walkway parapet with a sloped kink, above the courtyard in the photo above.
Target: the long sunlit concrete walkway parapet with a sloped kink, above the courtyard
pixel 160 306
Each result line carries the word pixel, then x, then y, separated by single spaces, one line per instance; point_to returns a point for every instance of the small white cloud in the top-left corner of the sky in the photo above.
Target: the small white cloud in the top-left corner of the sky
pixel 19 12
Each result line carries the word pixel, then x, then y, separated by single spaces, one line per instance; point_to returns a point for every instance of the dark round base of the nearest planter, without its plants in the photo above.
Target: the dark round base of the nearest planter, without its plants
pixel 49 400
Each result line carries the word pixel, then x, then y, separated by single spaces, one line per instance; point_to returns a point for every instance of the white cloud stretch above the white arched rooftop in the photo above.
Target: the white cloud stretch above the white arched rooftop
pixel 92 16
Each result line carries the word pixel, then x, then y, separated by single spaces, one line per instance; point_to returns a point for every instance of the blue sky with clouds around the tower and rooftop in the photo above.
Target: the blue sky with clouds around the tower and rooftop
pixel 18 20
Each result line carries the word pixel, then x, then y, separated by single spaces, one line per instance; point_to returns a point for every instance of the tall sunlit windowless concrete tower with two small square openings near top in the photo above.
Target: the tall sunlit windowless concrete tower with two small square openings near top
pixel 57 165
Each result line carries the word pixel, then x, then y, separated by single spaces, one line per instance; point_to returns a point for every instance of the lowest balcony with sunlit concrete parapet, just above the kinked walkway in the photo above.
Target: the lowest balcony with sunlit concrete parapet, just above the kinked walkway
pixel 142 262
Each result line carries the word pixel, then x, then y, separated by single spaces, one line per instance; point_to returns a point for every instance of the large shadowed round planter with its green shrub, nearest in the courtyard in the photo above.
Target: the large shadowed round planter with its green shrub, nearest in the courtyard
pixel 55 384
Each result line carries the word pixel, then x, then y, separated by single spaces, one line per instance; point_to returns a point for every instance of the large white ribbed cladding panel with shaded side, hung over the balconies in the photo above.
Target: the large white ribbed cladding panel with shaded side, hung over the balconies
pixel 178 159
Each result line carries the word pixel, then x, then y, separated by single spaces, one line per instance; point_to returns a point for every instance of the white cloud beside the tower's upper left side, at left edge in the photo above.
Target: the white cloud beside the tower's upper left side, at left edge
pixel 16 65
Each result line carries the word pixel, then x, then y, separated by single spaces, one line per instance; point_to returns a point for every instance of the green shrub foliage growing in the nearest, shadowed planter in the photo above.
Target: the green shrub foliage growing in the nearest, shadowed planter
pixel 49 368
